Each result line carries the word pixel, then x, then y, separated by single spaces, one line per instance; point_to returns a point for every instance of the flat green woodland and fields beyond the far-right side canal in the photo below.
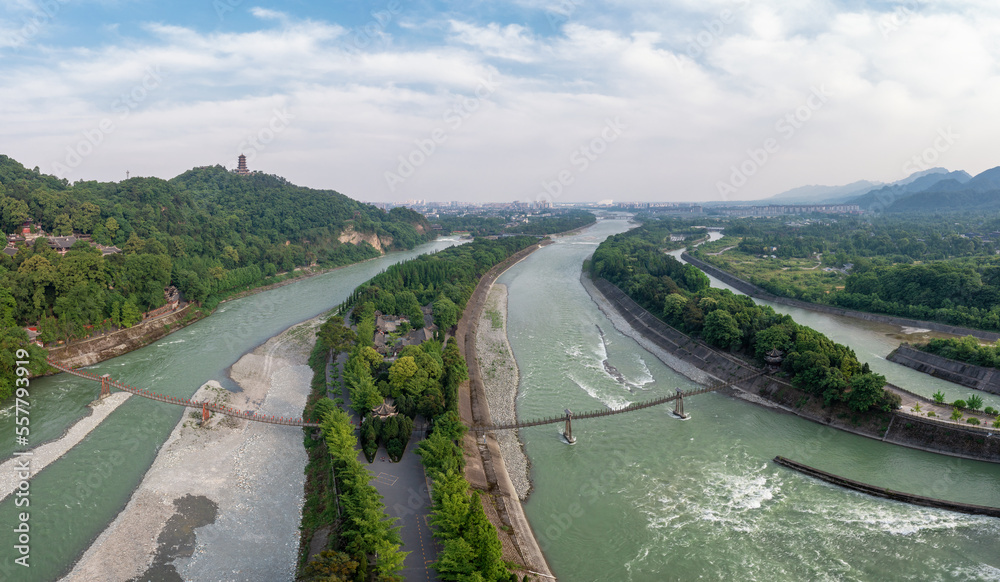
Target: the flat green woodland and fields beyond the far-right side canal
pixel 909 266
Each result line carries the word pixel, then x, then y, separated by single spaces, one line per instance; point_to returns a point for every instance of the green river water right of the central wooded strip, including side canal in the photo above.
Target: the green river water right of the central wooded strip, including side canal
pixel 645 497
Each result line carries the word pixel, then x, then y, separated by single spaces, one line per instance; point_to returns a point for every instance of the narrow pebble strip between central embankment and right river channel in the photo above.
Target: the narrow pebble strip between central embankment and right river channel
pixel 501 379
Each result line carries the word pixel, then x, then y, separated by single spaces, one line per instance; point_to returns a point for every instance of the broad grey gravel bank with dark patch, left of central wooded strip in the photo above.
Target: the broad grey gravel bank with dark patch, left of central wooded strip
pixel 232 488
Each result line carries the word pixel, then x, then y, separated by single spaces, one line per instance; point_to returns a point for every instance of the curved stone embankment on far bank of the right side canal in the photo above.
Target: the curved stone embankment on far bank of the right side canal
pixel 755 291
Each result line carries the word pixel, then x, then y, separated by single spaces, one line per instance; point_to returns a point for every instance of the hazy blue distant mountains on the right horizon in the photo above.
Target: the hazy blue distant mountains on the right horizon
pixel 931 190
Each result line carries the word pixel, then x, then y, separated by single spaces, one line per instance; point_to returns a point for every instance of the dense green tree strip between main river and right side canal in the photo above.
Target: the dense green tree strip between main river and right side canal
pixel 681 296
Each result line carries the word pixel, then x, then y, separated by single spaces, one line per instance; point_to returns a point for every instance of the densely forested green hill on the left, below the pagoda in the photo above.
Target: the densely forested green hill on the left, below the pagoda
pixel 207 231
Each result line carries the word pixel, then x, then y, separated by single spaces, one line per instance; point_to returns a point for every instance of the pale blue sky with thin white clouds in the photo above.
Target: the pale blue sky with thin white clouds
pixel 530 100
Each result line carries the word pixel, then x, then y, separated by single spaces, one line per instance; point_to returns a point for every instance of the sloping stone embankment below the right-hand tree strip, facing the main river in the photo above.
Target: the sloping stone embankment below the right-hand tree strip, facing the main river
pixel 901 428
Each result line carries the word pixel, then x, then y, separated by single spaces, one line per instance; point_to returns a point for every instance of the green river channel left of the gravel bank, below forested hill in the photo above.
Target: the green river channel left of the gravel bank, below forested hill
pixel 76 497
